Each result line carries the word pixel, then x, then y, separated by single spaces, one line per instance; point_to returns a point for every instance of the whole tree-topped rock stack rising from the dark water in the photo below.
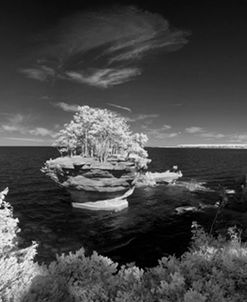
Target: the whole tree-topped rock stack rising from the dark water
pixel 102 160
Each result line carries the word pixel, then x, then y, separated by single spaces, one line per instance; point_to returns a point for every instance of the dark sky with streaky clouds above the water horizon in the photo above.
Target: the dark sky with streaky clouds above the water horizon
pixel 176 69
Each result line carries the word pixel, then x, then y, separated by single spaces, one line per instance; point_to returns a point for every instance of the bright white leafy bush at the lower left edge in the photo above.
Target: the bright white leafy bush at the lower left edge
pixel 17 268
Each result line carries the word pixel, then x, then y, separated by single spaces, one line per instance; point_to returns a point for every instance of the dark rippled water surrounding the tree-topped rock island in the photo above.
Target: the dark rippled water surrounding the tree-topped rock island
pixel 144 232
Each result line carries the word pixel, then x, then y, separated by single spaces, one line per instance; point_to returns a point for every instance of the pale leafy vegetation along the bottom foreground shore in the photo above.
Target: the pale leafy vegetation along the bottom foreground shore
pixel 212 270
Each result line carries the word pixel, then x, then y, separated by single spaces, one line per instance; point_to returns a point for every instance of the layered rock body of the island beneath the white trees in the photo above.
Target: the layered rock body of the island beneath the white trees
pixel 88 180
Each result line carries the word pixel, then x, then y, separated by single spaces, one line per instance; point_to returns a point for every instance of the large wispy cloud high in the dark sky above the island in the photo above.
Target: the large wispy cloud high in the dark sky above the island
pixel 102 48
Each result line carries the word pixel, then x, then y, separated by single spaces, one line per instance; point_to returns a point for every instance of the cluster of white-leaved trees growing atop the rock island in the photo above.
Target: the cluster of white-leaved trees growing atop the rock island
pixel 100 133
